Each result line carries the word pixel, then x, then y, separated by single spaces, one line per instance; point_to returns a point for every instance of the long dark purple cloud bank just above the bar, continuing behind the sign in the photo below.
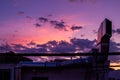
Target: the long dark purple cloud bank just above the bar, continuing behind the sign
pixel 74 45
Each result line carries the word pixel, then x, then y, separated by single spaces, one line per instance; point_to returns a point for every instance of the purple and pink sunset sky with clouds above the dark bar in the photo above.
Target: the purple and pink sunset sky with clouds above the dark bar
pixel 56 25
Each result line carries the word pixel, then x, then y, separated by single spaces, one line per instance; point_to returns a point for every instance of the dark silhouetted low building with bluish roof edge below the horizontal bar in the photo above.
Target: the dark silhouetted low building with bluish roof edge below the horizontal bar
pixel 78 69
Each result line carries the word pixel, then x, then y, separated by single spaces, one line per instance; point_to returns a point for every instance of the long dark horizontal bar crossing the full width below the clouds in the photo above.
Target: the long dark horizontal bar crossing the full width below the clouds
pixel 61 54
